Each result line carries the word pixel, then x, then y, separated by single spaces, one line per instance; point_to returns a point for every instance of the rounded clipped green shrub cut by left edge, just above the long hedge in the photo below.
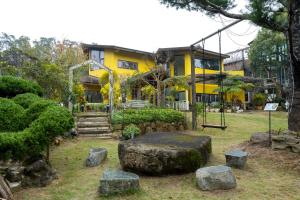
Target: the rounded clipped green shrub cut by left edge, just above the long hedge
pixel 10 115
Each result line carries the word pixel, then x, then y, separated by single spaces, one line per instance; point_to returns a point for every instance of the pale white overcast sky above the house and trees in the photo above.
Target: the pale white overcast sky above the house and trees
pixel 138 24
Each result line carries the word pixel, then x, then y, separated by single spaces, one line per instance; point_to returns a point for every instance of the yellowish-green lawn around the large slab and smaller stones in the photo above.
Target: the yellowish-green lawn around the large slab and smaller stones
pixel 261 179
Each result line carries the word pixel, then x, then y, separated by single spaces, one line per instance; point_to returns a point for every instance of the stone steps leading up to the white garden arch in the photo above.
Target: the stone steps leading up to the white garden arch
pixel 93 124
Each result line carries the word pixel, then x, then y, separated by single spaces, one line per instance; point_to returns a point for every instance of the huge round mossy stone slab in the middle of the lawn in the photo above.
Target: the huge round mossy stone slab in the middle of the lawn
pixel 164 153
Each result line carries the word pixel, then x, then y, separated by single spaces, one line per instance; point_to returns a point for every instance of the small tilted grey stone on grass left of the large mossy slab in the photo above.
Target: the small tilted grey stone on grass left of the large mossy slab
pixel 96 156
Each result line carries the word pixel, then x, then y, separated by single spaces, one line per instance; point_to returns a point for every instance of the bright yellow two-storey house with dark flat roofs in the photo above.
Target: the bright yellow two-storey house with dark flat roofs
pixel 127 62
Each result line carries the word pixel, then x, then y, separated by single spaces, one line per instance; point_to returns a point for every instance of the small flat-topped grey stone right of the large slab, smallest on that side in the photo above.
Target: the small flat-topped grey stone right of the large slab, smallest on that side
pixel 236 158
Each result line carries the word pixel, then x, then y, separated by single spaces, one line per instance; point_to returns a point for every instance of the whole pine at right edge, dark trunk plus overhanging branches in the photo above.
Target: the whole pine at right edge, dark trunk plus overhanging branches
pixel 278 15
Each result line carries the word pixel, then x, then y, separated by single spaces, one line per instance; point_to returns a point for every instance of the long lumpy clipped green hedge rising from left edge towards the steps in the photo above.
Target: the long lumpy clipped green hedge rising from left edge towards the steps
pixel 54 121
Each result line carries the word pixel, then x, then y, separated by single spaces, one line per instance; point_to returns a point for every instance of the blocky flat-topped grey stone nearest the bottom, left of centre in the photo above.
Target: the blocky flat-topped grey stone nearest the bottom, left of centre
pixel 117 181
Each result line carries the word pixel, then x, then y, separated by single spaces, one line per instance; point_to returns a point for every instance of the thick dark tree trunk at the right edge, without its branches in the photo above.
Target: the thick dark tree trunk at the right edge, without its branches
pixel 294 57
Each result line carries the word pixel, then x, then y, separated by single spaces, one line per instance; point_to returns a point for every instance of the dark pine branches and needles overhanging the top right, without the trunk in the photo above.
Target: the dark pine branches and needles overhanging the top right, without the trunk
pixel 271 14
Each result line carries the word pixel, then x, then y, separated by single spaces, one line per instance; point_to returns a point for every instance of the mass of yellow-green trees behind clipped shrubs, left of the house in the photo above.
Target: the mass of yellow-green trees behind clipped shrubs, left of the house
pixel 45 60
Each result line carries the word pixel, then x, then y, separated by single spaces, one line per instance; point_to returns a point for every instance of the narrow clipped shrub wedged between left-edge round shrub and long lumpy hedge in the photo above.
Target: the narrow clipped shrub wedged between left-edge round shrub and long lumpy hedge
pixel 35 109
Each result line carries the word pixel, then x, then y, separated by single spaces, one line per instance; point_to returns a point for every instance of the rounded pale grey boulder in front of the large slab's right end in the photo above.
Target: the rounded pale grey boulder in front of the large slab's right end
pixel 215 178
